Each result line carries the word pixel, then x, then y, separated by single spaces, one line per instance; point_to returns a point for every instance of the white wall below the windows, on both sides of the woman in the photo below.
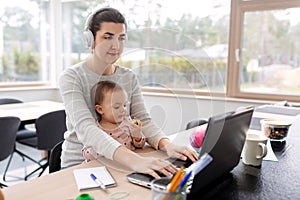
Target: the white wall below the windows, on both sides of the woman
pixel 170 112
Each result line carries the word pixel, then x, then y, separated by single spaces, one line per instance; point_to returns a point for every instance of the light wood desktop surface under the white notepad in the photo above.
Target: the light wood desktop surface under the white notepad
pixel 61 186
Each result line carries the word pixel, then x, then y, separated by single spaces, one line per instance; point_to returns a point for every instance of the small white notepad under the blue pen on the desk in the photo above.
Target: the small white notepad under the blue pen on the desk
pixel 84 180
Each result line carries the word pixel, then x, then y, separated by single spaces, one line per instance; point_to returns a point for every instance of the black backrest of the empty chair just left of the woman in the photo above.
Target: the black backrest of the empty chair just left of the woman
pixel 50 129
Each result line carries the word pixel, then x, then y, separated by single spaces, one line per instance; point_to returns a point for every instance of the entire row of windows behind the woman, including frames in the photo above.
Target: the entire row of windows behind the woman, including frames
pixel 233 48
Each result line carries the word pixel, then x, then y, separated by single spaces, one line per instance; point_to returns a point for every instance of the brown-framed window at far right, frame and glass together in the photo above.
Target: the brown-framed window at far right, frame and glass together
pixel 267 50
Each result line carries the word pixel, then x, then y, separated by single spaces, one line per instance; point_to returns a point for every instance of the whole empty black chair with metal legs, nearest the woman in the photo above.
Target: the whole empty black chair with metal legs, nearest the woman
pixel 50 129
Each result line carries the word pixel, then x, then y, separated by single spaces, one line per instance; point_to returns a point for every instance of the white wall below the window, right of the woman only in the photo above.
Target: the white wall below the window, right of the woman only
pixel 173 113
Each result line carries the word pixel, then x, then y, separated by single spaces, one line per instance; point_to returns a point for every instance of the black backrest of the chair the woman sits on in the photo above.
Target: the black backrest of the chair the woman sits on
pixel 54 161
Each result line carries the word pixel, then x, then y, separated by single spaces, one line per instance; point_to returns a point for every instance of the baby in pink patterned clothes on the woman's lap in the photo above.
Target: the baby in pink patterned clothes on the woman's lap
pixel 110 105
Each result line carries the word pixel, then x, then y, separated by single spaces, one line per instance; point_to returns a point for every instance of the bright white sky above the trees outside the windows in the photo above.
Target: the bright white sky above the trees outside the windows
pixel 169 8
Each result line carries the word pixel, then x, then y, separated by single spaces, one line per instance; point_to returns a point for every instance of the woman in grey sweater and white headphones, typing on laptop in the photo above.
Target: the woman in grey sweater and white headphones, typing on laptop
pixel 105 34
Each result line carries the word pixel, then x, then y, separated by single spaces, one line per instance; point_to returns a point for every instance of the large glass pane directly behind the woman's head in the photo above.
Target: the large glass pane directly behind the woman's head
pixel 170 46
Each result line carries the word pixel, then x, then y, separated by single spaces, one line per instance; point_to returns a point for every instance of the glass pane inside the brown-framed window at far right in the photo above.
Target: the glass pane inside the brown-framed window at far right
pixel 271 52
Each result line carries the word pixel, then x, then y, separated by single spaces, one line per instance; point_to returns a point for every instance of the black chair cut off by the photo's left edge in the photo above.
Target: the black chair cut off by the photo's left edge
pixel 8 133
